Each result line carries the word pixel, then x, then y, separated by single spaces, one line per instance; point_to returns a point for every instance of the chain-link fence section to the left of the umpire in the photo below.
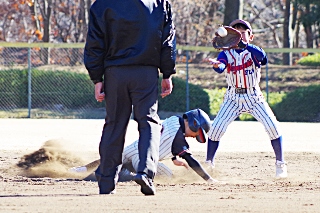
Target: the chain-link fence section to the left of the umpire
pixel 46 83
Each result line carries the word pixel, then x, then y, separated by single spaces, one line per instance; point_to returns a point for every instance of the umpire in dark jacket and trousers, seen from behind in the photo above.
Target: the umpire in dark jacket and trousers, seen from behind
pixel 127 42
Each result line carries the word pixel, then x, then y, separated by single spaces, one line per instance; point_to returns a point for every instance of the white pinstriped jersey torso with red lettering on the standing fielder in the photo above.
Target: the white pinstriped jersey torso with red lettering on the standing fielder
pixel 241 71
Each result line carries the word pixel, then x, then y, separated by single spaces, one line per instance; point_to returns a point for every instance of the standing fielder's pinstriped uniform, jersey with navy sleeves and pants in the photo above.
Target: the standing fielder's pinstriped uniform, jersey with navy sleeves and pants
pixel 243 94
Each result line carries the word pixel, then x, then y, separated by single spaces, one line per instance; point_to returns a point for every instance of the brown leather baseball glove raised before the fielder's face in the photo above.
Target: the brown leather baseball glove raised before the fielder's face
pixel 230 41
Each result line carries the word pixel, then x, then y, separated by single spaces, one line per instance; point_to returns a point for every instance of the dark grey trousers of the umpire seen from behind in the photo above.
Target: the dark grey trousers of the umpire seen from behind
pixel 129 88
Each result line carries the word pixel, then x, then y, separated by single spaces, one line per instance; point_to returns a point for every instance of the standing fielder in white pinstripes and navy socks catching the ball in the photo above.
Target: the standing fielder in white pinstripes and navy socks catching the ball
pixel 242 68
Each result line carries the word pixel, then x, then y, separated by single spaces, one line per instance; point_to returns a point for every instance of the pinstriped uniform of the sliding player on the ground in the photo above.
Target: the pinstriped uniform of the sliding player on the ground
pixel 170 128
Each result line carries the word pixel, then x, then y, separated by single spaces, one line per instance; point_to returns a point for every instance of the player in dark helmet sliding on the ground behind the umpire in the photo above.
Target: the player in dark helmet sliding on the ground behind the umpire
pixel 194 123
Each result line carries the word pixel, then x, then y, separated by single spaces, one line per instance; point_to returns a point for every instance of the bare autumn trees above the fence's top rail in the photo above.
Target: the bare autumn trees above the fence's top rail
pixel 276 24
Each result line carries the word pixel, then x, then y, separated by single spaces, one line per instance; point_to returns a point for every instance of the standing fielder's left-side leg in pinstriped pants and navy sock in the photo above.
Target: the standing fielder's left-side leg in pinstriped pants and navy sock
pixel 228 112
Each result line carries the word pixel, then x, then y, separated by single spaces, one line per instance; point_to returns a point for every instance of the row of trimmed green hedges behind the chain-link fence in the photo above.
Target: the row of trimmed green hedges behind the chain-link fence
pixel 66 94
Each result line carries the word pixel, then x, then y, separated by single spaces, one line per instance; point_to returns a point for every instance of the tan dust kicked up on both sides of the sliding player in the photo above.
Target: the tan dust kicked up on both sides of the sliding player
pixel 53 160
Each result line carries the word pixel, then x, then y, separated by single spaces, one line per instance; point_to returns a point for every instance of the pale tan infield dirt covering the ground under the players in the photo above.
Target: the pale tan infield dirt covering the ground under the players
pixel 244 162
